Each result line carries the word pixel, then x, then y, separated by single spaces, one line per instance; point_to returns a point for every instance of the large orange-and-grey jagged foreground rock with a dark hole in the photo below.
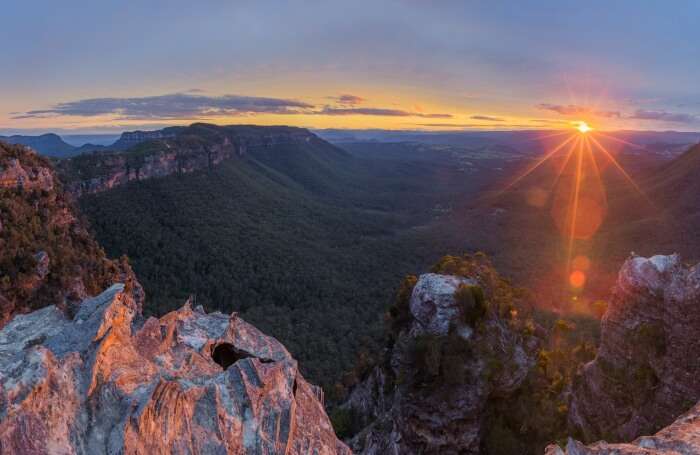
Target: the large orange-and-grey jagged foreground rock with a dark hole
pixel 105 381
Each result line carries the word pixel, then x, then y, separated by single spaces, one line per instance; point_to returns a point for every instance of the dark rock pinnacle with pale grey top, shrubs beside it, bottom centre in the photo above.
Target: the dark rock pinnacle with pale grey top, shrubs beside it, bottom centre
pixel 431 394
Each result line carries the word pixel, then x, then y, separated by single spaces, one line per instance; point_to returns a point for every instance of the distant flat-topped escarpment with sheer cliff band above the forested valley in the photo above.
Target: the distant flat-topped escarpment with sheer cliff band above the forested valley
pixel 176 150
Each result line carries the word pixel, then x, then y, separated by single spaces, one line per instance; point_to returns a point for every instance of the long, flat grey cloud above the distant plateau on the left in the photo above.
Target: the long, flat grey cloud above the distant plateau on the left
pixel 172 106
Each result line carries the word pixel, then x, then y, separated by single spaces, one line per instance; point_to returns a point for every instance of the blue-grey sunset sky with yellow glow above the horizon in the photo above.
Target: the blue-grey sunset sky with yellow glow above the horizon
pixel 107 66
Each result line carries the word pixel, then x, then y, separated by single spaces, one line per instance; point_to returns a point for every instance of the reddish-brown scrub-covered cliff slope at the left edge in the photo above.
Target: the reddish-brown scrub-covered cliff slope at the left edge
pixel 47 255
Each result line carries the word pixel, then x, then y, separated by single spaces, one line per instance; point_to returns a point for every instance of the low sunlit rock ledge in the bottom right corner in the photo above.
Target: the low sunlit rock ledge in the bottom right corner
pixel 682 437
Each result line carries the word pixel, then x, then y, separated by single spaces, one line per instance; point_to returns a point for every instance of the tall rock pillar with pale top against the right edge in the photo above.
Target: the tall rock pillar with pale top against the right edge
pixel 647 370
